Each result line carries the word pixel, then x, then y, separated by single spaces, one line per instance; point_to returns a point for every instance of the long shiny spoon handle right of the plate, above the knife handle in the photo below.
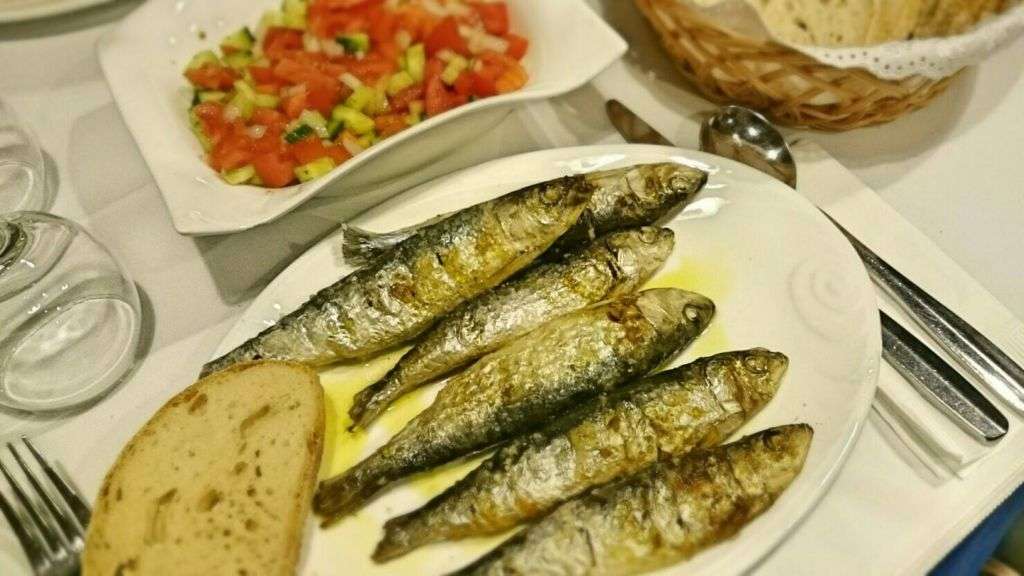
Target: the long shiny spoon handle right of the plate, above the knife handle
pixel 966 345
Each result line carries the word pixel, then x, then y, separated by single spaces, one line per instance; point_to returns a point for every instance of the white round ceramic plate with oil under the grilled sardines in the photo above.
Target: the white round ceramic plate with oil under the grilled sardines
pixel 782 277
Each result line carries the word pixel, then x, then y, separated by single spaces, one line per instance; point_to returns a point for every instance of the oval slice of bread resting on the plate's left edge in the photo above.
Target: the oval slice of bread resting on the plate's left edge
pixel 219 482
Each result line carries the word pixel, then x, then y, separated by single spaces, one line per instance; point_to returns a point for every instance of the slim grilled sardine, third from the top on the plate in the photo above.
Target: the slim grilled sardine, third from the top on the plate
pixel 616 265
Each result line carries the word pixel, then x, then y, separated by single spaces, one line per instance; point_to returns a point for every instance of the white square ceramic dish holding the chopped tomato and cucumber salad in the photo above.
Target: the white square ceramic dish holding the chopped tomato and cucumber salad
pixel 143 60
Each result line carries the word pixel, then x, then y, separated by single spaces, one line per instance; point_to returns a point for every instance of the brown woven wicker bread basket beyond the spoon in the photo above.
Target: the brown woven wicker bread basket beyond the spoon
pixel 791 88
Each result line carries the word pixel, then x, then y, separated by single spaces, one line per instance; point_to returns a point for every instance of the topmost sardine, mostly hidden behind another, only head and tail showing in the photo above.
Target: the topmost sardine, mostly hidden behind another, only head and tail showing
pixel 624 198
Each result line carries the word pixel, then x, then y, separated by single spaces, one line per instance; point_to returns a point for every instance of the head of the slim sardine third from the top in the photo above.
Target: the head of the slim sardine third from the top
pixel 637 254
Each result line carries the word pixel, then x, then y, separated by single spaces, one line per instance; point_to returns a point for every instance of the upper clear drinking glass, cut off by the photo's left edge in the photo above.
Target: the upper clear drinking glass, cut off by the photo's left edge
pixel 23 172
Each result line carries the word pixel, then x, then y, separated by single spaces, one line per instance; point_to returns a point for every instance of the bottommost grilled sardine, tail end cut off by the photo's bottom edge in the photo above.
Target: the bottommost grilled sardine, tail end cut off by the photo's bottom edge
pixel 662 516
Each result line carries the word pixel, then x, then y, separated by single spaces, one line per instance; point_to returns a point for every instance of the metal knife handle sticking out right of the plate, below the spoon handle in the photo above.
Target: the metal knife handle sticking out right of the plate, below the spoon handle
pixel 941 385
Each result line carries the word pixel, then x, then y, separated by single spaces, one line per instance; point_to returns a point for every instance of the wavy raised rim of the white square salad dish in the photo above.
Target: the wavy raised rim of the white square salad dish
pixel 125 93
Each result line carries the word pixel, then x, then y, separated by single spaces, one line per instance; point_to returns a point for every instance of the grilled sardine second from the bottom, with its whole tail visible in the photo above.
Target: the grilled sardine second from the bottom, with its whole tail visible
pixel 615 436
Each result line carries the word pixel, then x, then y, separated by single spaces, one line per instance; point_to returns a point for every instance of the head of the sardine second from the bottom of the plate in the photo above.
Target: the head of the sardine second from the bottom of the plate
pixel 756 376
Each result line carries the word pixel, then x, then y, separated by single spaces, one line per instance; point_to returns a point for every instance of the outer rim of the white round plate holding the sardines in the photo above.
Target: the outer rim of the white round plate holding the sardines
pixel 860 410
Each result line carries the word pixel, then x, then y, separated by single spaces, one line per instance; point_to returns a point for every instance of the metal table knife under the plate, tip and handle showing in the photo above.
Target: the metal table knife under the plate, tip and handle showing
pixel 931 377
